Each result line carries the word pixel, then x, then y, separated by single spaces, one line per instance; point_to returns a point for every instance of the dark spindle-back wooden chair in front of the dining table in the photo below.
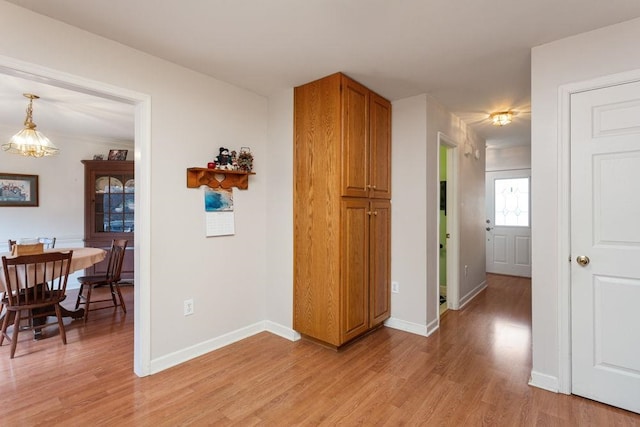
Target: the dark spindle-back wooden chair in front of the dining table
pixel 34 287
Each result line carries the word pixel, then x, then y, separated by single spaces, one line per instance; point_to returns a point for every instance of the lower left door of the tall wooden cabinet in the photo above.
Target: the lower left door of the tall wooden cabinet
pixel 355 267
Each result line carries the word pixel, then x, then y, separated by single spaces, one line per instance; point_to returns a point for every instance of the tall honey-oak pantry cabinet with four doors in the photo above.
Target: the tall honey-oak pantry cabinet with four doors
pixel 342 209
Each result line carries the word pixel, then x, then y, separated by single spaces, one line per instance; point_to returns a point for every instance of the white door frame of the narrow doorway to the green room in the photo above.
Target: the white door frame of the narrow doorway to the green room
pixel 453 224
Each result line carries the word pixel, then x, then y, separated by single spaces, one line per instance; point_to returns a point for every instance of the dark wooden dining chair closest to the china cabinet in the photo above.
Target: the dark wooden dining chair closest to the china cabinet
pixel 110 278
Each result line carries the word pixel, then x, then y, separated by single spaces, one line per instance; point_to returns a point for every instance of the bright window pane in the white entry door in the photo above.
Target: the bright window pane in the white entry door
pixel 512 202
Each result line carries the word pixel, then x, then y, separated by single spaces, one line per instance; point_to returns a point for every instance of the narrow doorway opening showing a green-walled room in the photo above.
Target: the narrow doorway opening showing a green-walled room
pixel 448 253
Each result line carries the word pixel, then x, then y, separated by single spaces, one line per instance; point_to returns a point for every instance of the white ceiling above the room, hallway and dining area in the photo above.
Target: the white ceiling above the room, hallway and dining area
pixel 471 55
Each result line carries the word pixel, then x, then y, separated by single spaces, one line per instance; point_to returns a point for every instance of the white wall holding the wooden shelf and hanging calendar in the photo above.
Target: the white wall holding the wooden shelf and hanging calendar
pixel 191 116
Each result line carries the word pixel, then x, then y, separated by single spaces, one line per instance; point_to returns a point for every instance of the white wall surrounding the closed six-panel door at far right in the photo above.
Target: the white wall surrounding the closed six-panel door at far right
pixel 602 52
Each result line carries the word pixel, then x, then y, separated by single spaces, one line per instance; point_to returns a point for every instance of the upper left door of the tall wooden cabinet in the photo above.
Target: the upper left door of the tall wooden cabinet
pixel 355 129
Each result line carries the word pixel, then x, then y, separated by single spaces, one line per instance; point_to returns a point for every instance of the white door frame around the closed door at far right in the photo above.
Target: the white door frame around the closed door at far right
pixel 564 214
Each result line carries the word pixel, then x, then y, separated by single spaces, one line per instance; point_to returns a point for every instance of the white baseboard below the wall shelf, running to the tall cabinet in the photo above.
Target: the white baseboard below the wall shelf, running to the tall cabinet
pixel 184 355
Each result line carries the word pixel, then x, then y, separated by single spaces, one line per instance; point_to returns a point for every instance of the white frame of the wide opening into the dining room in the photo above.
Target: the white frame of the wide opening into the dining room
pixel 142 155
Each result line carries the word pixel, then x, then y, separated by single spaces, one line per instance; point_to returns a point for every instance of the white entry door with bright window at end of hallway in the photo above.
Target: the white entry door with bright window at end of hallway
pixel 508 222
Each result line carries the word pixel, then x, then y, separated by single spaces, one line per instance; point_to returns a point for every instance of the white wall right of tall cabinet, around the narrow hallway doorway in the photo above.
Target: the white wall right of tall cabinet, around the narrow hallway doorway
pixel 414 243
